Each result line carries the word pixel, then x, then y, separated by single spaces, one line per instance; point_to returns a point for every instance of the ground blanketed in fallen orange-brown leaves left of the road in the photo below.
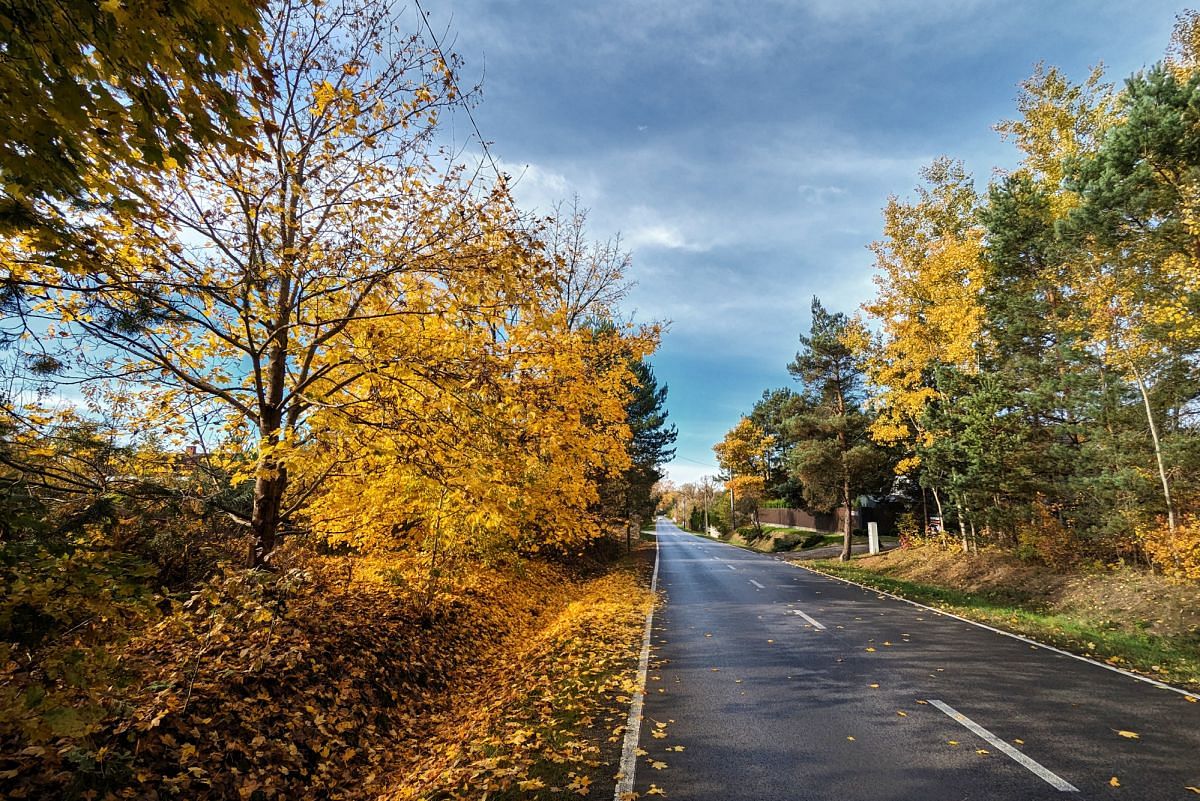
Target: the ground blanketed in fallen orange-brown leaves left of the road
pixel 326 685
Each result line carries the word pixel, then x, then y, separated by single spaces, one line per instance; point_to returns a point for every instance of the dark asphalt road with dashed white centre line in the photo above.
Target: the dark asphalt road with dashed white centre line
pixel 857 701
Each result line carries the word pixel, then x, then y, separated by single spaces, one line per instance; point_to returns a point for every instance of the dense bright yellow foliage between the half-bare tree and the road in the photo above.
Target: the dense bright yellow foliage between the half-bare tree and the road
pixel 506 453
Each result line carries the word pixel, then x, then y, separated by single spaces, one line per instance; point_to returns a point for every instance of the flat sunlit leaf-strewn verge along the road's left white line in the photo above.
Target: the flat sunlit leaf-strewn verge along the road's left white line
pixel 537 708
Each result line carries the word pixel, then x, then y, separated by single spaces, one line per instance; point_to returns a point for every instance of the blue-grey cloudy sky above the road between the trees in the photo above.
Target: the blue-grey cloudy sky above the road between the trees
pixel 745 150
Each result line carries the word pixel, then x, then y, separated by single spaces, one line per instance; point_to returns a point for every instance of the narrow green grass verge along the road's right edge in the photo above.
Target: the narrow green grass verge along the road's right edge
pixel 1171 659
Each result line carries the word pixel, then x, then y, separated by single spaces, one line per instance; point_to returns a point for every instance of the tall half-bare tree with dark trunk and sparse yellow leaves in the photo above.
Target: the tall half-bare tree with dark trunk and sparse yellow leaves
pixel 255 288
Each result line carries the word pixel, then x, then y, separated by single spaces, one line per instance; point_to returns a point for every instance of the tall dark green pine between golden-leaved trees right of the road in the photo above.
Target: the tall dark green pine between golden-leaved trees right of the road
pixel 1043 389
